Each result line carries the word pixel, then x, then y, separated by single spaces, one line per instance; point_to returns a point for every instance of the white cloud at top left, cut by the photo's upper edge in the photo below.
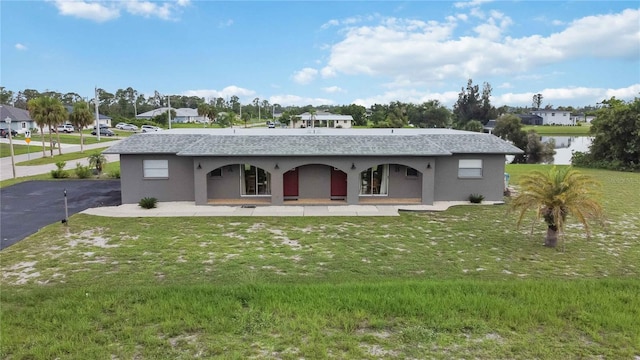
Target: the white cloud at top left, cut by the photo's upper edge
pixel 101 11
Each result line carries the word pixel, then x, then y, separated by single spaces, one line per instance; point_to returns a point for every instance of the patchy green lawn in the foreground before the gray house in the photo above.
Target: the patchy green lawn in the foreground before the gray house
pixel 464 283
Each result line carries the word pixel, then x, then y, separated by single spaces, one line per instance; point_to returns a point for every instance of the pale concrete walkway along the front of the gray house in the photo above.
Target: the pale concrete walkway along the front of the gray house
pixel 188 208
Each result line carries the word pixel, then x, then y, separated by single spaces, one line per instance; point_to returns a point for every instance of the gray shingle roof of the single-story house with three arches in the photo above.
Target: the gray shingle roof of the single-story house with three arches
pixel 292 142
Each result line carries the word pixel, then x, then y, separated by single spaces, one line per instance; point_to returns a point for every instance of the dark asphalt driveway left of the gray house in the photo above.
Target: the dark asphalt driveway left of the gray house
pixel 29 206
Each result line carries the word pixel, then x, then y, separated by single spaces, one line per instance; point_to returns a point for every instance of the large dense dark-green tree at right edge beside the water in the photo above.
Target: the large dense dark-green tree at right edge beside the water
pixel 617 134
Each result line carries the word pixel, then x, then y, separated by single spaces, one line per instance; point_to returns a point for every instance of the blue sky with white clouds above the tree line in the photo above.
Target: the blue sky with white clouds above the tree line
pixel 574 53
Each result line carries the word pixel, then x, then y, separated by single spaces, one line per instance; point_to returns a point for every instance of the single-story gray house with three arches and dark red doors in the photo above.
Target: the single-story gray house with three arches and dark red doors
pixel 311 166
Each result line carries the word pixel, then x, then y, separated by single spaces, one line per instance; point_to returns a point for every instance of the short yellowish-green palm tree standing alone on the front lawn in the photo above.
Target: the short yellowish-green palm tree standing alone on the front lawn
pixel 553 195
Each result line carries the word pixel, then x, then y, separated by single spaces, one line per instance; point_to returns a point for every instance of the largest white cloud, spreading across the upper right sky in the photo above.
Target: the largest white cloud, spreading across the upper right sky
pixel 413 52
